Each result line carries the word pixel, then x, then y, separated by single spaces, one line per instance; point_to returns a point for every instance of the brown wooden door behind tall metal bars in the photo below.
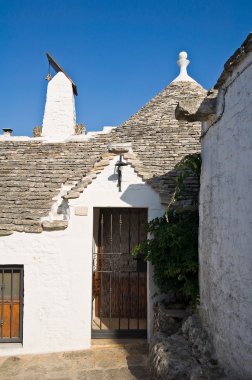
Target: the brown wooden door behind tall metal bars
pixel 119 280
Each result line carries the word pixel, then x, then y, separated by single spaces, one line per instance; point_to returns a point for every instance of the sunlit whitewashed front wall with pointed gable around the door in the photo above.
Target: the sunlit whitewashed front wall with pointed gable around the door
pixel 58 267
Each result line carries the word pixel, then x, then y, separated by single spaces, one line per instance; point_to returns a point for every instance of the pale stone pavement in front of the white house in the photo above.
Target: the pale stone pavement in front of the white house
pixel 126 361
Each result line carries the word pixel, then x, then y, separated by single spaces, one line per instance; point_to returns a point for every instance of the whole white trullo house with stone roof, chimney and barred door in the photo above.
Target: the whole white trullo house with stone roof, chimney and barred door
pixel 72 207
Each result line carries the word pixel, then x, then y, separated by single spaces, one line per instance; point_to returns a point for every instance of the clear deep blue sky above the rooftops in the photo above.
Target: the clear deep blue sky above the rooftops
pixel 120 53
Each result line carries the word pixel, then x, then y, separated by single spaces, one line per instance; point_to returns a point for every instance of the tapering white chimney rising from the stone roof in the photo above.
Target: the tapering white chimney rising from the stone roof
pixel 59 116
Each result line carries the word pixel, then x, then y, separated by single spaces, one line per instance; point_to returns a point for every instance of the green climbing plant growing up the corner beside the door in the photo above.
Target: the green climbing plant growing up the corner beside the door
pixel 173 244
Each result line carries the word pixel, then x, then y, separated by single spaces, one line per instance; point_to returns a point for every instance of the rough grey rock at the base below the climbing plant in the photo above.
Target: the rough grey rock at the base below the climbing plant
pixel 187 354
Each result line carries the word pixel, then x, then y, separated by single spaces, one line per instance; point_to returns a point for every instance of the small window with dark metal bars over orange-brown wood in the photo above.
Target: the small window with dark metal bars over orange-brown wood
pixel 8 302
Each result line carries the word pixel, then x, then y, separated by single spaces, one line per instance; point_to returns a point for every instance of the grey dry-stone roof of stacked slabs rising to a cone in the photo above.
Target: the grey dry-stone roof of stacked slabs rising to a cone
pixel 32 172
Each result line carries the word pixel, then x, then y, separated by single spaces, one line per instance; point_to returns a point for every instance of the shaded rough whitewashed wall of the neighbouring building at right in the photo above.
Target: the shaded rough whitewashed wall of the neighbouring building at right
pixel 226 225
